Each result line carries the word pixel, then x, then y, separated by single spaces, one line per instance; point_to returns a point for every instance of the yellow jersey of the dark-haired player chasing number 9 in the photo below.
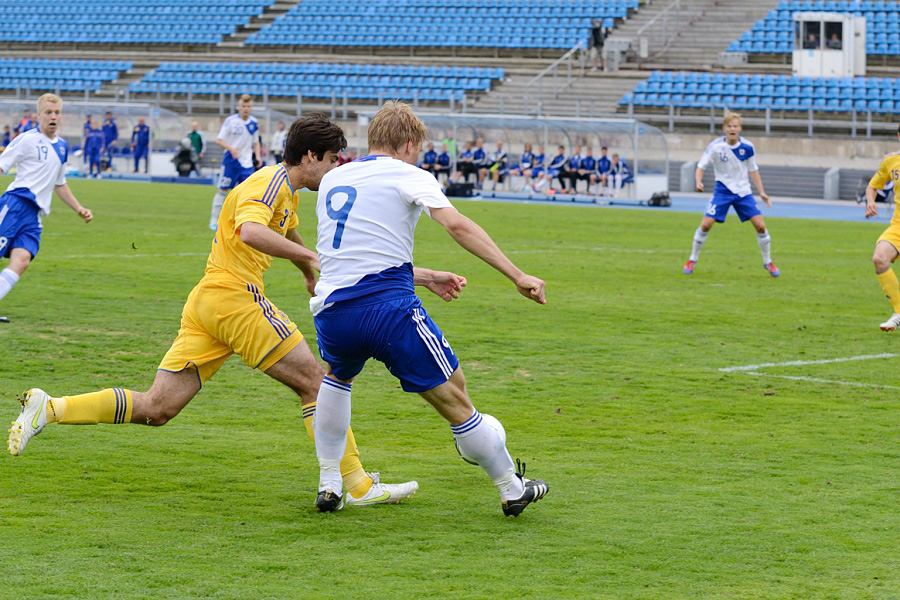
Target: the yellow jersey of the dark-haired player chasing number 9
pixel 267 198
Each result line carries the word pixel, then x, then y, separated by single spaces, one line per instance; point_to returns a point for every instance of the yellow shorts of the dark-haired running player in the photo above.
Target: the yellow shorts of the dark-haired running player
pixel 225 317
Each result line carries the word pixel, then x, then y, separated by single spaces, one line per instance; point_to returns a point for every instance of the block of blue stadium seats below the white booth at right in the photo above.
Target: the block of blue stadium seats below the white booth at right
pixel 757 92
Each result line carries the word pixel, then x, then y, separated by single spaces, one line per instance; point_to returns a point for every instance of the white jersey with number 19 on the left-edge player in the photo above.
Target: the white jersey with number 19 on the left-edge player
pixel 40 165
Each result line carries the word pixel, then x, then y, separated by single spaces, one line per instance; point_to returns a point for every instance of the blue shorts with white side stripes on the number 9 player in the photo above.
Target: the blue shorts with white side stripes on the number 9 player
pixel 392 327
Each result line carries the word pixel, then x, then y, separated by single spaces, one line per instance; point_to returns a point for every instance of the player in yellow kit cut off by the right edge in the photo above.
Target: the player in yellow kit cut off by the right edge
pixel 886 248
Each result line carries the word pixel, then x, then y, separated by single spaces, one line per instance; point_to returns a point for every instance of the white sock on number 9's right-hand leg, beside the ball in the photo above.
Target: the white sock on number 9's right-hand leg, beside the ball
pixel 482 443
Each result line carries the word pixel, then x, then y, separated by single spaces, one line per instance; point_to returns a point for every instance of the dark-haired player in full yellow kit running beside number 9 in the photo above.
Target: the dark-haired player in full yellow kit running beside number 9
pixel 227 312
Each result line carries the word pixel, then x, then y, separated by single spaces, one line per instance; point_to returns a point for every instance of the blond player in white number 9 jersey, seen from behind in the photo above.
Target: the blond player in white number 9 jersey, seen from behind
pixel 365 306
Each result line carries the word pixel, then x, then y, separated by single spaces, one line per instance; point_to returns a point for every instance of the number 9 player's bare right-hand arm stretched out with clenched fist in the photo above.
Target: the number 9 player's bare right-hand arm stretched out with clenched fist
pixel 473 238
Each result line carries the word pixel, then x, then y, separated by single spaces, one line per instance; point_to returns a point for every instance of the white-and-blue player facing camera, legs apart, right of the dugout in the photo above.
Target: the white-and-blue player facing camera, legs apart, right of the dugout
pixel 734 160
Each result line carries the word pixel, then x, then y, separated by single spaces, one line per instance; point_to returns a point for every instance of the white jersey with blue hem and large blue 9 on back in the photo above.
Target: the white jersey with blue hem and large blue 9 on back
pixel 367 212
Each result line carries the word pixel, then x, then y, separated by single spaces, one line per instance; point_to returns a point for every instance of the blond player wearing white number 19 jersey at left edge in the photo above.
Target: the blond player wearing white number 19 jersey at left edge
pixel 39 156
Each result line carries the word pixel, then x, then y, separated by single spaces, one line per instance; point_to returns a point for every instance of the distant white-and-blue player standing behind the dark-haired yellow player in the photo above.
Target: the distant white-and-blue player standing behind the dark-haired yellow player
pixel 239 139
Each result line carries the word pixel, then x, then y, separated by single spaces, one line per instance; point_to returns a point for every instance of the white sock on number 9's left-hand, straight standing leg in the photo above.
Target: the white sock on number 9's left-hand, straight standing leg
pixel 331 424
